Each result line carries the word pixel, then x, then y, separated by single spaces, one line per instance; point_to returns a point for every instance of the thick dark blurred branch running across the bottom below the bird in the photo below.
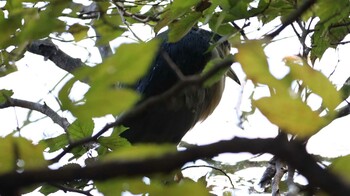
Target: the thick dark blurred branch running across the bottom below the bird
pixel 292 152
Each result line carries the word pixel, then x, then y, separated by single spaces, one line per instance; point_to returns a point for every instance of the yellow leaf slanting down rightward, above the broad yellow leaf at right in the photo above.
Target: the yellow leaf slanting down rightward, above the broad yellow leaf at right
pixel 315 81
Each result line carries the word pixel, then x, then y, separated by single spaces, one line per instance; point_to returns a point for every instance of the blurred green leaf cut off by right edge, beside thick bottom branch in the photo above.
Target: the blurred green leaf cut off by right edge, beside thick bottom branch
pixel 341 167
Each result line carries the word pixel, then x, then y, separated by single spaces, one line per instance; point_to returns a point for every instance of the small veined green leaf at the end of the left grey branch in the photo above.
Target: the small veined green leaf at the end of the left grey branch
pixel 80 129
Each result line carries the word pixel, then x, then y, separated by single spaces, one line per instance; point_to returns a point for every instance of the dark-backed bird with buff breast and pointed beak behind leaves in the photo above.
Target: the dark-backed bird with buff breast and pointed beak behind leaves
pixel 168 121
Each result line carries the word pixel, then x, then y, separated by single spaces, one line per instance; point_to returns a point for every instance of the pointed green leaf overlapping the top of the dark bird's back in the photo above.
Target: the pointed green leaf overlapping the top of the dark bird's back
pixel 180 28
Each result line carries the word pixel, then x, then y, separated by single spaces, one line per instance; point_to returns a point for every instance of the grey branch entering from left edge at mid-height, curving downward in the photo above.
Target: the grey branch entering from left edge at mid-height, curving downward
pixel 44 109
